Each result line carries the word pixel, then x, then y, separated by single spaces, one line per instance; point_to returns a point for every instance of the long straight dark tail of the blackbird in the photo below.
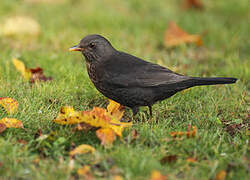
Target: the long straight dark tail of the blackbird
pixel 198 81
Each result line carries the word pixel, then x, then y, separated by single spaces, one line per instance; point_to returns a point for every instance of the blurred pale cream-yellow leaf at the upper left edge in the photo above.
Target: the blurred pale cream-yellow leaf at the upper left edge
pixel 20 26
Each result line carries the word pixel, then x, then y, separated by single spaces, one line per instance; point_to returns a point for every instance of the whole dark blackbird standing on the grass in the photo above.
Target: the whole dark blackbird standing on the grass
pixel 130 80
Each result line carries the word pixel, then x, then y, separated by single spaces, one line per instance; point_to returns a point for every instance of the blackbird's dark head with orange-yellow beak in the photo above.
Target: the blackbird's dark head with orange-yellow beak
pixel 94 48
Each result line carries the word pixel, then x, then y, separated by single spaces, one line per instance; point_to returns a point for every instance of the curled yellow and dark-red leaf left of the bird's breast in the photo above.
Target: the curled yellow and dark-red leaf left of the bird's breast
pixel 32 74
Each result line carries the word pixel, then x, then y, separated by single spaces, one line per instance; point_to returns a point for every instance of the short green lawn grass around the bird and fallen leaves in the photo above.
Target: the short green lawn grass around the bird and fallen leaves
pixel 136 27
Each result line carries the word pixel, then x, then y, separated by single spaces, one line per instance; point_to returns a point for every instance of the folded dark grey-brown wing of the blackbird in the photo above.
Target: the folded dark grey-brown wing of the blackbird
pixel 125 70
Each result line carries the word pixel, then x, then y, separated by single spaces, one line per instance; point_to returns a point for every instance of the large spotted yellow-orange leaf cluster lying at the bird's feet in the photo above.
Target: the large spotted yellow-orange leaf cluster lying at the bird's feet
pixel 108 120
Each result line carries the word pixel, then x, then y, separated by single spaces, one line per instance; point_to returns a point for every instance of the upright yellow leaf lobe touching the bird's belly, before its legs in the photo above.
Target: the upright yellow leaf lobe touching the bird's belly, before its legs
pixel 115 109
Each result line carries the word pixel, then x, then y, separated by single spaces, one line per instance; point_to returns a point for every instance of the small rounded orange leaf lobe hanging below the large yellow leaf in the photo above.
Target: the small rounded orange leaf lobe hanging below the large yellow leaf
pixel 106 135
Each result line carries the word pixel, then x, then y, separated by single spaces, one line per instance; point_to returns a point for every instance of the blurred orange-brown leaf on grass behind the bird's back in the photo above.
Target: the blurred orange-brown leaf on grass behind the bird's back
pixel 175 36
